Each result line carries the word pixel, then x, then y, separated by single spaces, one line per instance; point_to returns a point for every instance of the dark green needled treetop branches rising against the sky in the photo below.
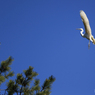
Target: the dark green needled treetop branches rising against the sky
pixel 22 84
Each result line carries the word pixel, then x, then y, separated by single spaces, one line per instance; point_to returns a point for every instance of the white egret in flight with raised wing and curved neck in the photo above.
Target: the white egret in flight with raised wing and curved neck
pixel 87 33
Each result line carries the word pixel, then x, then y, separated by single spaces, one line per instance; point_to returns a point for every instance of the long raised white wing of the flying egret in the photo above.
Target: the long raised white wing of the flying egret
pixel 85 22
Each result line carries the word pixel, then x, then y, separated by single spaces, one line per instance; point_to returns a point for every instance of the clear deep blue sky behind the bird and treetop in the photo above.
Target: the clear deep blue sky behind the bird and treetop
pixel 42 34
